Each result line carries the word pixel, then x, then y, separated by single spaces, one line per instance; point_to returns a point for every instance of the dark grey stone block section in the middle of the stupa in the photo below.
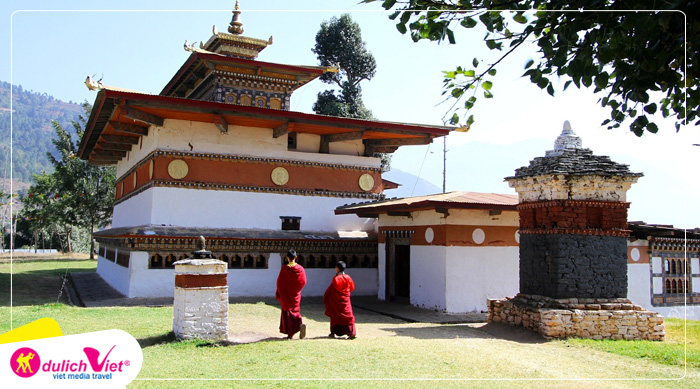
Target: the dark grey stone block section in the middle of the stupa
pixel 565 266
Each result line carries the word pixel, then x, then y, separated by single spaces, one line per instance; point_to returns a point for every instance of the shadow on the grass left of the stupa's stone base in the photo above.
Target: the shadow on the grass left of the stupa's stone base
pixel 464 331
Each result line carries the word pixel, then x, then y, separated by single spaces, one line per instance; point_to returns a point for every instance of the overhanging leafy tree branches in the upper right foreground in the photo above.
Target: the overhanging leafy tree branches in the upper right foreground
pixel 639 61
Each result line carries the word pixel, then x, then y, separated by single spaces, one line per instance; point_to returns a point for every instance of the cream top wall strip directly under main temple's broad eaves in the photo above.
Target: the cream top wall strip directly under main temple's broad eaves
pixel 178 135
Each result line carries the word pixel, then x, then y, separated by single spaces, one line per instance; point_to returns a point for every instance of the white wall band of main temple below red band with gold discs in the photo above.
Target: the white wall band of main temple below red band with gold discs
pixel 229 209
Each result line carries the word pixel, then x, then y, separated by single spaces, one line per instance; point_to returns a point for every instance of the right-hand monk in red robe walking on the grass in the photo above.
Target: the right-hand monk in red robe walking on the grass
pixel 338 306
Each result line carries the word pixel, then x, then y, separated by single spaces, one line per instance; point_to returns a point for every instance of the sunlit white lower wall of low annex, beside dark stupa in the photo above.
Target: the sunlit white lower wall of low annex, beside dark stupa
pixel 475 274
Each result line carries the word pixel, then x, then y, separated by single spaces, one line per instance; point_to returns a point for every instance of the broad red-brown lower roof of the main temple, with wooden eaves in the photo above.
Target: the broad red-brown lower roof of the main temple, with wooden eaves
pixel 119 118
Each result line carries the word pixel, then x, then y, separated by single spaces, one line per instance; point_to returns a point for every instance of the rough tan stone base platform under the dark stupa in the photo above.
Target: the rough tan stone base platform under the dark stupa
pixel 589 318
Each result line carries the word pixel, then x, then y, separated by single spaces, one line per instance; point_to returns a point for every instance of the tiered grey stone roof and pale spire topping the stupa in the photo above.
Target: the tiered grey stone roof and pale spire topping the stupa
pixel 570 158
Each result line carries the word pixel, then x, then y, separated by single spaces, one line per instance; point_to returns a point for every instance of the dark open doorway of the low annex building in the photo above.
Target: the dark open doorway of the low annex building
pixel 398 270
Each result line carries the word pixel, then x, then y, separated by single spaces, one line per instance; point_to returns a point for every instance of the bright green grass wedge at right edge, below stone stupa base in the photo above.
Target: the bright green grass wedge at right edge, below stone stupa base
pixel 673 351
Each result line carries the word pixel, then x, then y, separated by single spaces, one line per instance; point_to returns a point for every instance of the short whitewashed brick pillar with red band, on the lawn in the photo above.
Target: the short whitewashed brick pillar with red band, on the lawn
pixel 200 307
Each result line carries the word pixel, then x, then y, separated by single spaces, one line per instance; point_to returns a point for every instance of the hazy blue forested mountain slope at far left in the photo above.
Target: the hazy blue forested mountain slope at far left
pixel 32 113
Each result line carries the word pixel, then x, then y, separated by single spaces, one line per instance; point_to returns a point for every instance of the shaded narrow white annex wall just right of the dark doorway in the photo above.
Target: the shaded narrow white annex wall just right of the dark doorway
pixel 428 277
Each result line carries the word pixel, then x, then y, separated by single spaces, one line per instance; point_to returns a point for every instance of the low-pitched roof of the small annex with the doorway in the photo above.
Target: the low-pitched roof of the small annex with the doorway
pixel 438 202
